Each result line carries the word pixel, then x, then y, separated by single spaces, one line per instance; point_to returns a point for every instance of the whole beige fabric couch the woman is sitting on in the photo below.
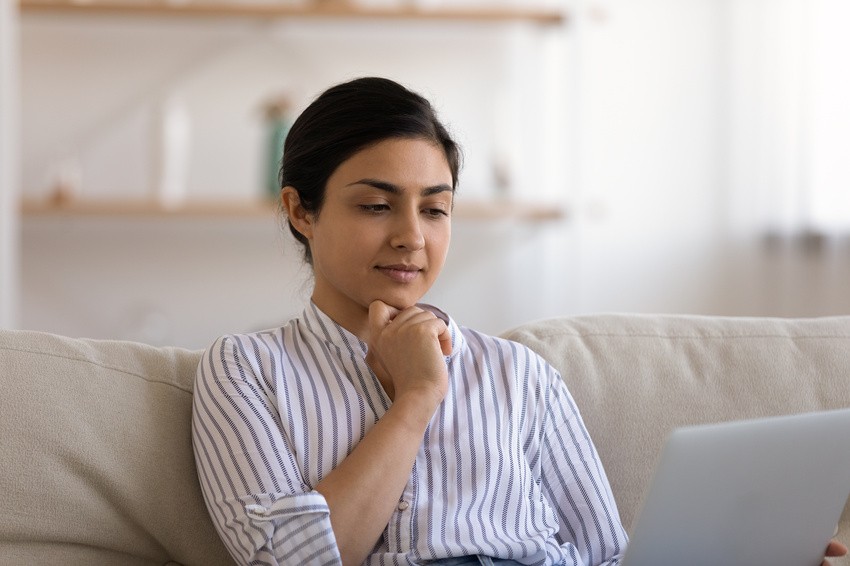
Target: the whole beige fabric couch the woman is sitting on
pixel 97 463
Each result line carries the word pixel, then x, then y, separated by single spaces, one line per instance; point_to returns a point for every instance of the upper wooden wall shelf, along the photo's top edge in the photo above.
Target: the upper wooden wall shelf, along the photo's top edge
pixel 316 9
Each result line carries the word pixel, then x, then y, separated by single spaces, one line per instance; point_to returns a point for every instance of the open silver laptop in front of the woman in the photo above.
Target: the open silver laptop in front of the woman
pixel 757 492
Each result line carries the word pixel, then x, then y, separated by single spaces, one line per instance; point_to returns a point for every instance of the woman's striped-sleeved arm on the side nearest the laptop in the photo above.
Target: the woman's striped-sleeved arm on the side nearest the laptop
pixel 576 484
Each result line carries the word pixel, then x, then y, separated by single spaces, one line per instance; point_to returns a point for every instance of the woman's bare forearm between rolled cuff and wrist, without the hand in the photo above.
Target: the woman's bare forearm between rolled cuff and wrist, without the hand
pixel 364 490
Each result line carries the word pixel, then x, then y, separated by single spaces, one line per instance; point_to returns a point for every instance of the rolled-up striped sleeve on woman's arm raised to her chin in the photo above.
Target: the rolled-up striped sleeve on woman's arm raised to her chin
pixel 253 488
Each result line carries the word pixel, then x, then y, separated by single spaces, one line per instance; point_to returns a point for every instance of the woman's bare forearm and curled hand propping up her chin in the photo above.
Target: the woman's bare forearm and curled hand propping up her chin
pixel 363 491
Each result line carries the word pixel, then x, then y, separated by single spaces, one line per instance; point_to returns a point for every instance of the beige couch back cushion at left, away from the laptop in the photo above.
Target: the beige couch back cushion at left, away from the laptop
pixel 97 454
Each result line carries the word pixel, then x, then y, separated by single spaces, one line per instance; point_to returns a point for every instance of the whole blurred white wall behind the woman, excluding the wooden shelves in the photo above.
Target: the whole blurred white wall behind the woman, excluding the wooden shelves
pixel 626 118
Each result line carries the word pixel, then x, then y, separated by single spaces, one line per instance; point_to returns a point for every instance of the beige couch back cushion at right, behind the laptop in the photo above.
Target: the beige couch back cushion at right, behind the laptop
pixel 635 378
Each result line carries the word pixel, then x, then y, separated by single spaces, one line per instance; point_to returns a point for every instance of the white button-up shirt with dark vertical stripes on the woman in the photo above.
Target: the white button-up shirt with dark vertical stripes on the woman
pixel 506 467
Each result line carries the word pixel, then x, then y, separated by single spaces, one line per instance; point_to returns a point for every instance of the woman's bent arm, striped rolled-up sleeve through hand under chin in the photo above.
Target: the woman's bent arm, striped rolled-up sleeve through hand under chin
pixel 259 502
